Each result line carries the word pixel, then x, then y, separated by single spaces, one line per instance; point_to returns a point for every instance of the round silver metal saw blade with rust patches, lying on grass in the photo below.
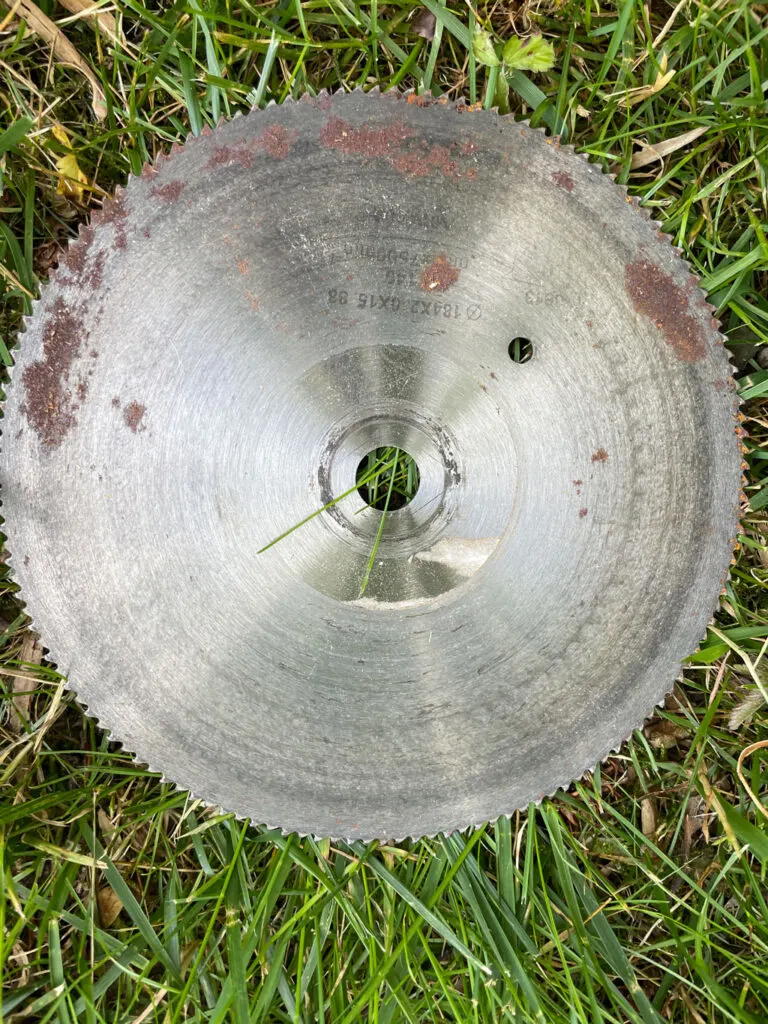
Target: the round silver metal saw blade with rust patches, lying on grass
pixel 219 353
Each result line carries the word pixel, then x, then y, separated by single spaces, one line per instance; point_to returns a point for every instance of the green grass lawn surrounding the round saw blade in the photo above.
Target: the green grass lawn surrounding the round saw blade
pixel 637 897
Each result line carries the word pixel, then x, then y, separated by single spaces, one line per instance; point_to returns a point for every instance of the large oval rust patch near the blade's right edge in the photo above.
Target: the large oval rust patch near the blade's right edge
pixel 656 295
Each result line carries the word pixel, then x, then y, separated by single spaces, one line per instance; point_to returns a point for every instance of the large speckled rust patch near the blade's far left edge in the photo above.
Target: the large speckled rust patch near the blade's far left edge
pixel 50 403
